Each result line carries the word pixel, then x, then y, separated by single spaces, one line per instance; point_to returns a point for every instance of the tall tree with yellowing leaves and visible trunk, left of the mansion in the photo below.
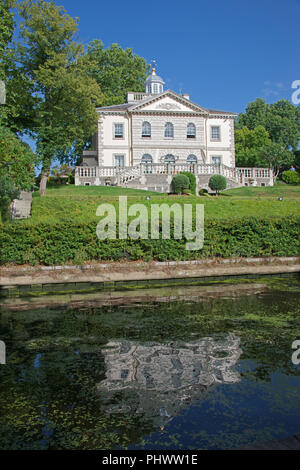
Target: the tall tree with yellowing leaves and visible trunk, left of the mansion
pixel 61 94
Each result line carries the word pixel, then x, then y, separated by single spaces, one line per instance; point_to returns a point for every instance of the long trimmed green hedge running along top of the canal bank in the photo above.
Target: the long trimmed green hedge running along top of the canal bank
pixel 71 242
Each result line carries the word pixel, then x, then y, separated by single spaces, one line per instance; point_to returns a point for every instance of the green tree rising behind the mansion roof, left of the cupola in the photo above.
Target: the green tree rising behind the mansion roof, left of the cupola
pixel 116 71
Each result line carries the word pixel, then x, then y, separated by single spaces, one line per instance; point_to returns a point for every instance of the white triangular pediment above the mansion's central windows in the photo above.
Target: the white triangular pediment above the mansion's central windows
pixel 168 102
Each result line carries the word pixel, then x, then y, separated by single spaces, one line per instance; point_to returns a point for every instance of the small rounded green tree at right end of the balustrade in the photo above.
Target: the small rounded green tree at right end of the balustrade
pixel 275 156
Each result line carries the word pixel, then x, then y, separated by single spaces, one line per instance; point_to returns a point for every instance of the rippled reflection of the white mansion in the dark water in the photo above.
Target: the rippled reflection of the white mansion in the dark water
pixel 159 380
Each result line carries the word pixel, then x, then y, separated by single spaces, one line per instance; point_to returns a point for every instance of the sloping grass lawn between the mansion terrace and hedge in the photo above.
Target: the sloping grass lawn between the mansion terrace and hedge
pixel 79 203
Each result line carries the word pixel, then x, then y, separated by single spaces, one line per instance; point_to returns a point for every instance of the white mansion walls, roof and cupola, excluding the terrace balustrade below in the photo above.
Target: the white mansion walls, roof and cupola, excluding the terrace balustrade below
pixel 206 135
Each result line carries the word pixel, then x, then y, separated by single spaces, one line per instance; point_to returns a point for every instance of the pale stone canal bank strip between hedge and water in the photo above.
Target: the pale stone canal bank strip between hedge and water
pixel 112 273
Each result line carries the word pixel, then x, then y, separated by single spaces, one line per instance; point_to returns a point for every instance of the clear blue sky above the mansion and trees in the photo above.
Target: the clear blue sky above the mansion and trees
pixel 224 53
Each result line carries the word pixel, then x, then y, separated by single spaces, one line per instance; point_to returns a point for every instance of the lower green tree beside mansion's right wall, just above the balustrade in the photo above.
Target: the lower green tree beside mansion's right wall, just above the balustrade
pixel 248 143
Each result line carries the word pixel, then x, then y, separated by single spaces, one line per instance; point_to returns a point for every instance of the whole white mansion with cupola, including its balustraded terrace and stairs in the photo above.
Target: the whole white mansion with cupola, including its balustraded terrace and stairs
pixel 157 134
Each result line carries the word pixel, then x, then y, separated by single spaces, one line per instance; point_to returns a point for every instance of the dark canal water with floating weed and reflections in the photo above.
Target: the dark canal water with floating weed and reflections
pixel 201 367
